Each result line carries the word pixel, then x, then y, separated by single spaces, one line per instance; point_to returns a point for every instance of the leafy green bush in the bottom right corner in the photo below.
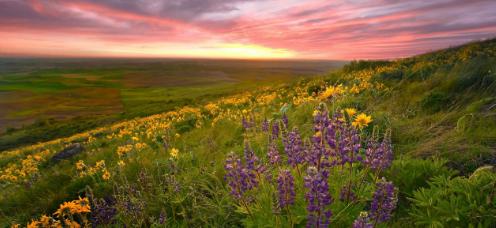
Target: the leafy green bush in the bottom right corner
pixel 457 202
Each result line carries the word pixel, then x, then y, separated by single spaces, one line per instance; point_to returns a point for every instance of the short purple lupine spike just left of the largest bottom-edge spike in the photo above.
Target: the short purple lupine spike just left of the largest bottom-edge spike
pixel 286 188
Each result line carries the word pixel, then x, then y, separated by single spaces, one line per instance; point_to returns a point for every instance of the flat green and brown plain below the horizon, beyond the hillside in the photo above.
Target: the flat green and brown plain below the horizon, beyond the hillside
pixel 42 99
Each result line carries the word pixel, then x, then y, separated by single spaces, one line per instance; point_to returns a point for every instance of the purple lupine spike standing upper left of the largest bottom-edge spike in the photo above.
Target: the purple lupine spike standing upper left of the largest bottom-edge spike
pixel 293 146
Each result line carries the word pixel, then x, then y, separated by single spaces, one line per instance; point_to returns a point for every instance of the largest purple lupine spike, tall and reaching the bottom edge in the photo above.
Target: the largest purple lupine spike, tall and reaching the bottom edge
pixel 318 197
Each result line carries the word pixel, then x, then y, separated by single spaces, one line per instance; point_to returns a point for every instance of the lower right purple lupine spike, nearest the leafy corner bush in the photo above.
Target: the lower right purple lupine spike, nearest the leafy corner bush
pixel 383 201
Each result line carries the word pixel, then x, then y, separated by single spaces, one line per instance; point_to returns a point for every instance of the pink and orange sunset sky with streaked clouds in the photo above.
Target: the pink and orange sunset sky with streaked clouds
pixel 255 29
